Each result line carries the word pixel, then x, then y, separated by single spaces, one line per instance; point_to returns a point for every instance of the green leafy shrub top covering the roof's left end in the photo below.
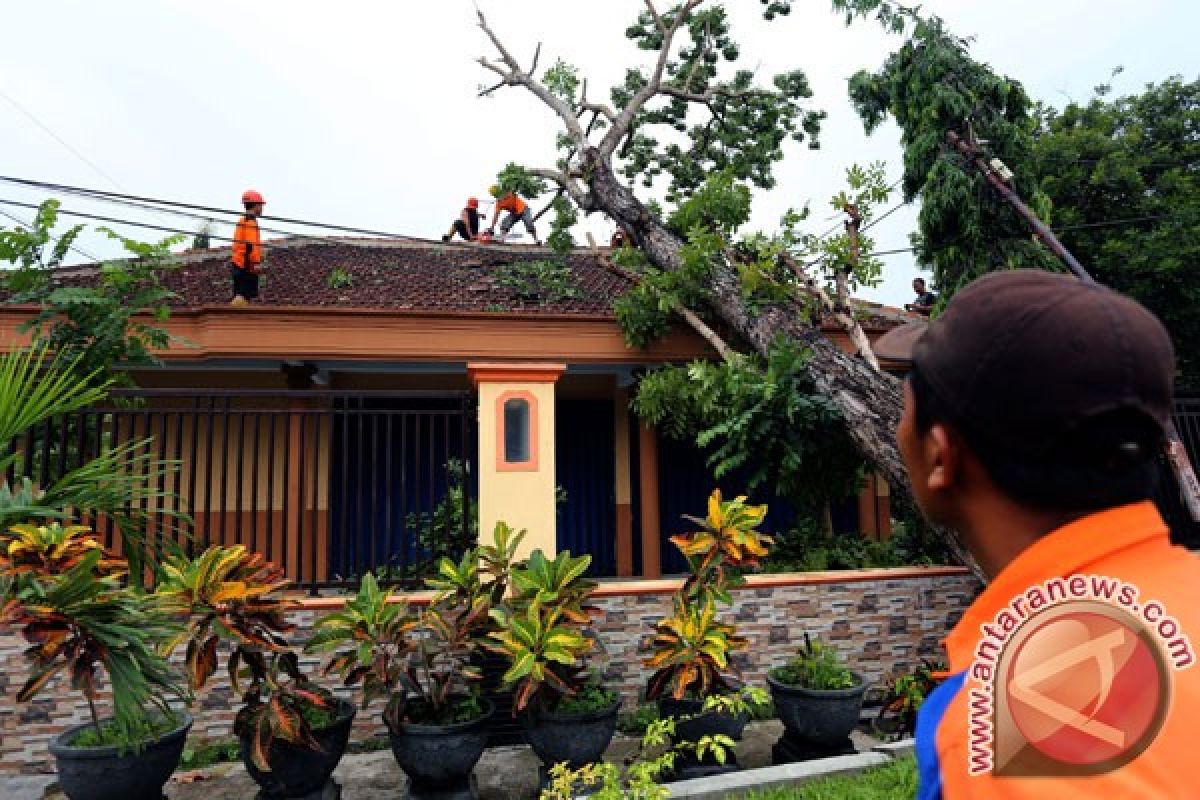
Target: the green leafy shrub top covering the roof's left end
pixel 101 327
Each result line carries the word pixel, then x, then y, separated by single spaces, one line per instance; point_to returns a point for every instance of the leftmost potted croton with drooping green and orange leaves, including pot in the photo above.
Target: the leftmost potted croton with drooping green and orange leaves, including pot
pixel 68 598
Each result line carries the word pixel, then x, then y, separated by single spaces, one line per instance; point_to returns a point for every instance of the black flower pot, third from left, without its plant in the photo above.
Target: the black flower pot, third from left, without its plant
pixel 440 759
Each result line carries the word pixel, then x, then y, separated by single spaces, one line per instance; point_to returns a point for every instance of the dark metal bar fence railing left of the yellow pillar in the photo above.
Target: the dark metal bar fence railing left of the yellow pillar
pixel 329 485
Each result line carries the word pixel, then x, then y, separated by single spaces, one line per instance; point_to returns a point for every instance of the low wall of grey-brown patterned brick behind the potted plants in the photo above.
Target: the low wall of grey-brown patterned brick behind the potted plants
pixel 880 627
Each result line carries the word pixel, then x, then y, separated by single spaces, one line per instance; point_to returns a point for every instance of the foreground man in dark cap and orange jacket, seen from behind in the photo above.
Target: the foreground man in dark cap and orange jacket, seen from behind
pixel 1034 417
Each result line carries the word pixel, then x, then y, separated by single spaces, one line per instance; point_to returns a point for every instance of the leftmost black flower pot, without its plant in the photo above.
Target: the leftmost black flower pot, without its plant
pixel 106 774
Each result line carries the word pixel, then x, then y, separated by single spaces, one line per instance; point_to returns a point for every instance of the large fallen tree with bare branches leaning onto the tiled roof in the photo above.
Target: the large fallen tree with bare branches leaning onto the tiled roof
pixel 733 128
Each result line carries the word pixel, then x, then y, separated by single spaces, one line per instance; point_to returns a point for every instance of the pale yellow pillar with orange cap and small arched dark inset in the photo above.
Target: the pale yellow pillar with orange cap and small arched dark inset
pixel 517 450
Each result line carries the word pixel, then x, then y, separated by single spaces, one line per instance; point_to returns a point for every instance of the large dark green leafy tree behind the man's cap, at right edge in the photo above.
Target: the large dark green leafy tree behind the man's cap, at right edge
pixel 1133 158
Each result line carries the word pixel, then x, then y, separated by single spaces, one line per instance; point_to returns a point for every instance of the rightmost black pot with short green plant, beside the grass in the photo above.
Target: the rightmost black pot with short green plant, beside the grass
pixel 818 697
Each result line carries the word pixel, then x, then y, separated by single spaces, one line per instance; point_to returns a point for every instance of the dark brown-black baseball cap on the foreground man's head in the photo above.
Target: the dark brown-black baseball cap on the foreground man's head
pixel 1027 357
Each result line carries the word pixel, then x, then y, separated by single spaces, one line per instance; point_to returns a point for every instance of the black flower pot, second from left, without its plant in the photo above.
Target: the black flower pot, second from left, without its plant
pixel 298 772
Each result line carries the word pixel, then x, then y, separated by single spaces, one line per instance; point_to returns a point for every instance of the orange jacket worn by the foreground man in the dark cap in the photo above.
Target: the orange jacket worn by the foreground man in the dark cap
pixel 1156 582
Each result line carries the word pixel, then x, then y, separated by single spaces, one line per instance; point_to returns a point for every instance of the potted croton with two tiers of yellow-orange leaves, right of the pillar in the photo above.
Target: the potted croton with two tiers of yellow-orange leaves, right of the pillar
pixel 692 648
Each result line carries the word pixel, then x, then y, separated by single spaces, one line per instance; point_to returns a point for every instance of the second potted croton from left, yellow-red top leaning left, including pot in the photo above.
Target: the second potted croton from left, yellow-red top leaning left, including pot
pixel 293 733
